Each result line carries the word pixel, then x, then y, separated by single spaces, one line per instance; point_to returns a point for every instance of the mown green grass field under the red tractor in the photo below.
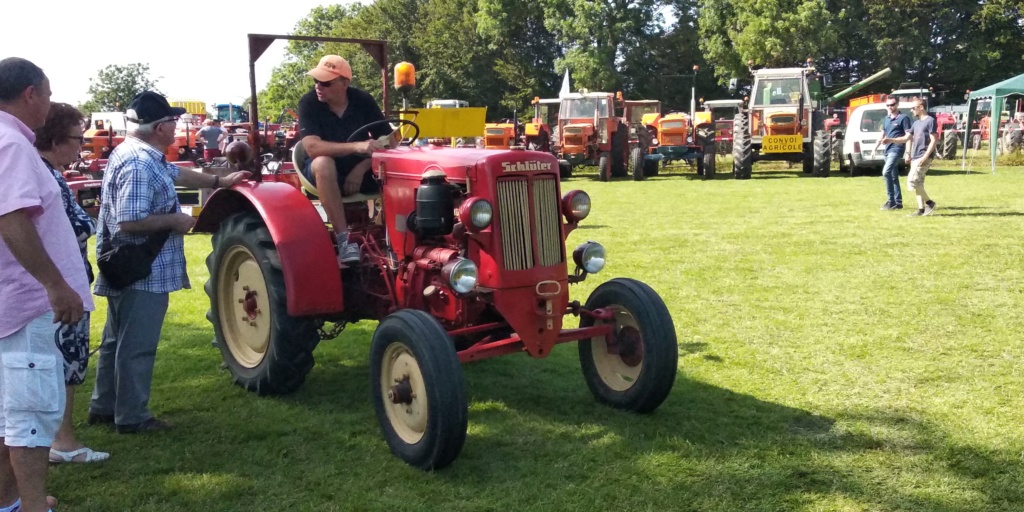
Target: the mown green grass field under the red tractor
pixel 833 358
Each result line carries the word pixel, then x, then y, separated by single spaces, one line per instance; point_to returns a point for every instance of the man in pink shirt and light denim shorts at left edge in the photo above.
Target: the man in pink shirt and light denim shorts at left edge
pixel 45 285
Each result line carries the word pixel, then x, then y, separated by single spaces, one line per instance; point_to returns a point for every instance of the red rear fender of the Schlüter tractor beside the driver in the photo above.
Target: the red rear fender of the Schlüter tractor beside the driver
pixel 308 257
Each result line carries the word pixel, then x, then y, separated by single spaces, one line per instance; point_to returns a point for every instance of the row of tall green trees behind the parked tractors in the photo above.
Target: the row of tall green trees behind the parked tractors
pixel 502 54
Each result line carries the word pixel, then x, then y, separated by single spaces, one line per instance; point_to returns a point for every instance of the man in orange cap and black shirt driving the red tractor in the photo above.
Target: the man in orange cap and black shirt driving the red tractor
pixel 329 116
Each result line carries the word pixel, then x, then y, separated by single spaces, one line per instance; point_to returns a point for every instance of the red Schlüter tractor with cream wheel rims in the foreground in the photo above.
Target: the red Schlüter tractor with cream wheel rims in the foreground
pixel 463 259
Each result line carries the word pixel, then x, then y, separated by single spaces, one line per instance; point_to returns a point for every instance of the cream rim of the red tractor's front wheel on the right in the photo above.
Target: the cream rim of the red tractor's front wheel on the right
pixel 620 367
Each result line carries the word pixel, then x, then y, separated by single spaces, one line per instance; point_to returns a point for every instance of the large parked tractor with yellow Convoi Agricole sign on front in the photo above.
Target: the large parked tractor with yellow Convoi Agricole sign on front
pixel 786 118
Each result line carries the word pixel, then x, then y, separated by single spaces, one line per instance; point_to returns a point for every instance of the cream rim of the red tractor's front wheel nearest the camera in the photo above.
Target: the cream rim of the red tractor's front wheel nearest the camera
pixel 404 392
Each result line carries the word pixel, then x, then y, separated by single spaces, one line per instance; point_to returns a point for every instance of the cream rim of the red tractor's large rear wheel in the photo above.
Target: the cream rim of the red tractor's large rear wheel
pixel 244 307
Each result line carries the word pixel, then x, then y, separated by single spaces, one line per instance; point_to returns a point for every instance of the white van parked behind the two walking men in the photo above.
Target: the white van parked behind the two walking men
pixel 863 132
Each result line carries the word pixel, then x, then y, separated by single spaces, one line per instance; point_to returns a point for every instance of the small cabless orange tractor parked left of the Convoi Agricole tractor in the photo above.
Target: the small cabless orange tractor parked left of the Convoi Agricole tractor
pixel 680 140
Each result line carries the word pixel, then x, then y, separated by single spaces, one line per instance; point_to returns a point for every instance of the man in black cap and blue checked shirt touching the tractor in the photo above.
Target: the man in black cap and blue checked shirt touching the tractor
pixel 140 200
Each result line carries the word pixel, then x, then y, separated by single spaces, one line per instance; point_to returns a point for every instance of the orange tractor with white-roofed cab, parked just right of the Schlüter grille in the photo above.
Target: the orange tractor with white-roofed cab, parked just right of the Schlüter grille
pixel 591 134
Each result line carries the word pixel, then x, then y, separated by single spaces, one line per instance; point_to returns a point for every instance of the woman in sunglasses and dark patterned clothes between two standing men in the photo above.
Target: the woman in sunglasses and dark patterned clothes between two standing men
pixel 59 143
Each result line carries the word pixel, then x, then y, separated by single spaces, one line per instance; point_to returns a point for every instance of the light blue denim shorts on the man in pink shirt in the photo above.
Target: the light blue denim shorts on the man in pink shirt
pixel 32 385
